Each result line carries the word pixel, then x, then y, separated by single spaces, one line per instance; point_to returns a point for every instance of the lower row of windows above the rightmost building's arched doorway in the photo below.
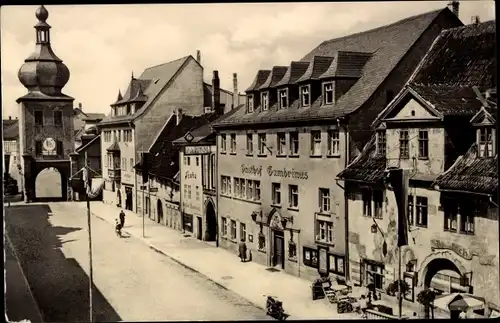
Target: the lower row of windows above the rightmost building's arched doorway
pixel 418 211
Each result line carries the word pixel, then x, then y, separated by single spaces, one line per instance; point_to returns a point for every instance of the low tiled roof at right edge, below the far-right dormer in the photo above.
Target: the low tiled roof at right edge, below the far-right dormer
pixel 471 173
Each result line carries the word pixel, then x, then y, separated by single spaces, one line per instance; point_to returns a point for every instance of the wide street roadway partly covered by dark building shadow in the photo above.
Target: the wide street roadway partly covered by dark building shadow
pixel 132 282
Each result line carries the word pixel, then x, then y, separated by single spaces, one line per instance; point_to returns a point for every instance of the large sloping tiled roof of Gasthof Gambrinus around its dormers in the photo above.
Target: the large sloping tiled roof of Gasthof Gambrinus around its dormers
pixel 389 44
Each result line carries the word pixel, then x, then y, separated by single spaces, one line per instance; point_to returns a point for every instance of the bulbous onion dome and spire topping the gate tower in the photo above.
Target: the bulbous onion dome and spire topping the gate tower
pixel 43 71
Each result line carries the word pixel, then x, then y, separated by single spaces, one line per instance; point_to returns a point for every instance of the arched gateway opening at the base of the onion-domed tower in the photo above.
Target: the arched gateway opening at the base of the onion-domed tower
pixel 49 185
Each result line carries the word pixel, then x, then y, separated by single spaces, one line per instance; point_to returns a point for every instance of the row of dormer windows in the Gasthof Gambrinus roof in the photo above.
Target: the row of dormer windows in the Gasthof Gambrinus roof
pixel 328 97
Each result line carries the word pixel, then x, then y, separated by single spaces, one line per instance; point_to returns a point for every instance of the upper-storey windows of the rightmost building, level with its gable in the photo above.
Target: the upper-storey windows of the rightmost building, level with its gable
pixel 484 141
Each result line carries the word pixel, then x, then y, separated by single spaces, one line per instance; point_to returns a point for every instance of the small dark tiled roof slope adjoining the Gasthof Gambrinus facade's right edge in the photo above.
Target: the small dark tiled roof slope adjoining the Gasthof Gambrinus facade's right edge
pixel 367 167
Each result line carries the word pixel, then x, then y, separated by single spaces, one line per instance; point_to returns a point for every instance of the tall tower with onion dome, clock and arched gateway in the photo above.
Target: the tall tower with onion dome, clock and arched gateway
pixel 46 132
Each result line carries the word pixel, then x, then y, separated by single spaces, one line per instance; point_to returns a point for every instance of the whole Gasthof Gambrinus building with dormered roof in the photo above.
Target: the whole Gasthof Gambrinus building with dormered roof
pixel 300 123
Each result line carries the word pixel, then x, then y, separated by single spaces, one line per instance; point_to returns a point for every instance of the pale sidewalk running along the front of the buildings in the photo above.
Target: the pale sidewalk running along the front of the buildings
pixel 249 280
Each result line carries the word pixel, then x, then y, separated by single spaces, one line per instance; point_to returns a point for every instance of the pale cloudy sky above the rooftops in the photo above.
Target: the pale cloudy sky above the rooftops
pixel 102 45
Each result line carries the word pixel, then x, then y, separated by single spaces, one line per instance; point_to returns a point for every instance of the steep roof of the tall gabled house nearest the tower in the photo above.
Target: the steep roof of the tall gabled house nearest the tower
pixel 158 78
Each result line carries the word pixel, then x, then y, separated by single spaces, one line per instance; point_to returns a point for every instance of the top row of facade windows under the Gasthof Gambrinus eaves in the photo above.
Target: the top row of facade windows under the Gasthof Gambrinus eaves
pixel 282 149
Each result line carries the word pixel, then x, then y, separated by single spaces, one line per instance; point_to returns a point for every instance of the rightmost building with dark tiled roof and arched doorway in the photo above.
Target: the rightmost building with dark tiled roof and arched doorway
pixel 440 130
